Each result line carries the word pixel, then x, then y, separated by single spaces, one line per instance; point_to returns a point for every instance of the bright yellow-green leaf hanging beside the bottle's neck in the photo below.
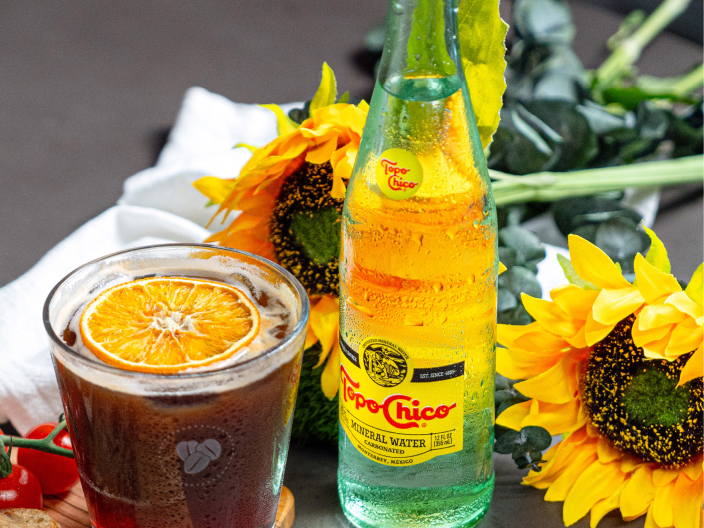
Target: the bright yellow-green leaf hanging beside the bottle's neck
pixel 481 37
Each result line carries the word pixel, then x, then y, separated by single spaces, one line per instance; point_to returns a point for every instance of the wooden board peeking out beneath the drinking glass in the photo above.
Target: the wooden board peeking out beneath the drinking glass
pixel 70 510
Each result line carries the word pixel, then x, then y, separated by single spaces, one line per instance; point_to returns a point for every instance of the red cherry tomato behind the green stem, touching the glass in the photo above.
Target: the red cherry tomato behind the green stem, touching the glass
pixel 56 474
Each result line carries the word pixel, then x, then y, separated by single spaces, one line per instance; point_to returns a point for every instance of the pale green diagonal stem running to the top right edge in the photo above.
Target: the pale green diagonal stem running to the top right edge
pixel 629 50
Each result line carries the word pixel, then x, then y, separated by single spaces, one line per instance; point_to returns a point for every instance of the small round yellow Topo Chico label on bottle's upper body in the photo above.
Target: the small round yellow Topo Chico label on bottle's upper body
pixel 399 174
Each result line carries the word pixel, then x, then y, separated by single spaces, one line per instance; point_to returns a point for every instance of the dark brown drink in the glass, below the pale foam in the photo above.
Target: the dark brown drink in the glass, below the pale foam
pixel 213 460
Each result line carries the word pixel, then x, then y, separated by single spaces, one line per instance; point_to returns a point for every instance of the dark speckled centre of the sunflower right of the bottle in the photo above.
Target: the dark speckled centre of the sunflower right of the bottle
pixel 636 404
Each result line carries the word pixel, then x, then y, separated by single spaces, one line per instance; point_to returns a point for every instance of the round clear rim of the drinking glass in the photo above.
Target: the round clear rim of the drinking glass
pixel 301 324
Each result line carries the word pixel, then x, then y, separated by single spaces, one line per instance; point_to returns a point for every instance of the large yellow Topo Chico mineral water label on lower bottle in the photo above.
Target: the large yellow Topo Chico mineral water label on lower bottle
pixel 397 413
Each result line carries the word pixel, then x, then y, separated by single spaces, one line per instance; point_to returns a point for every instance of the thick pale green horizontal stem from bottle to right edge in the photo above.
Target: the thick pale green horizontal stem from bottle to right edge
pixel 551 186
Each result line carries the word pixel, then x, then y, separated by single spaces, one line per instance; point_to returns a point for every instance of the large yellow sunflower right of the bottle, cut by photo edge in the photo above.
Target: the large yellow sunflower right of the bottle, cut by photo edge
pixel 616 369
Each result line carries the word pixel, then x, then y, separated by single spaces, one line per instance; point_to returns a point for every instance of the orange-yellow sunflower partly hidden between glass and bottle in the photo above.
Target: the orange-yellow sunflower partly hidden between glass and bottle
pixel 290 194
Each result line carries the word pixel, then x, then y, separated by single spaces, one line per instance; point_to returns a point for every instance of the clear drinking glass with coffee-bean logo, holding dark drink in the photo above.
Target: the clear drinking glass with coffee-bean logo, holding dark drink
pixel 197 449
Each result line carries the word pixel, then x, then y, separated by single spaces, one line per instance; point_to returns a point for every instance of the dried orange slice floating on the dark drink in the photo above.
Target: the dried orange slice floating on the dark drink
pixel 168 324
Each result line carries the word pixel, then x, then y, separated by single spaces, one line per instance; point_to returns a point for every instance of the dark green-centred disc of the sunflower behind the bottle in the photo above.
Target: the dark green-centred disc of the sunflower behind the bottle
pixel 305 228
